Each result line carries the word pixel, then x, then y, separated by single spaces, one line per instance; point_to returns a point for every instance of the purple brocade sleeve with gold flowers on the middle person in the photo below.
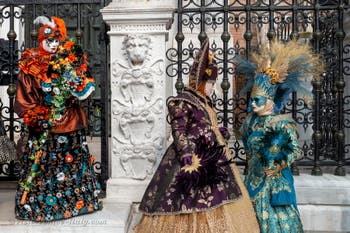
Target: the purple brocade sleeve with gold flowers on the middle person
pixel 179 112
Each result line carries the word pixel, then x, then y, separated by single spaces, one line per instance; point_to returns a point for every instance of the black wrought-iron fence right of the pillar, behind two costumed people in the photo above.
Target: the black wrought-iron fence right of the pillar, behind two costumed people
pixel 236 28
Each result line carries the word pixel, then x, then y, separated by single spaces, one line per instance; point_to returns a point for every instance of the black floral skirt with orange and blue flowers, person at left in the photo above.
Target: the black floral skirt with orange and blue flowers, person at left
pixel 65 185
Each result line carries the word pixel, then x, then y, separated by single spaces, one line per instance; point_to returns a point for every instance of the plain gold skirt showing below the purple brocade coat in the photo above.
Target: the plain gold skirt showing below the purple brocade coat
pixel 234 217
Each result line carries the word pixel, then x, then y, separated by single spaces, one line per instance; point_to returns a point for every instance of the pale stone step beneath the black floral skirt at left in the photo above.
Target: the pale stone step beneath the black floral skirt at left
pixel 111 219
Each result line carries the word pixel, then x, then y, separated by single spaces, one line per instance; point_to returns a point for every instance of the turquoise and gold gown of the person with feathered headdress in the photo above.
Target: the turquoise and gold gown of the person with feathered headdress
pixel 269 140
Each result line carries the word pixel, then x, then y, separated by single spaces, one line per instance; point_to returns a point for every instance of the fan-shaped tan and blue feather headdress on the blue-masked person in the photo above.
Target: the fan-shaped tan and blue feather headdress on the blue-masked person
pixel 277 71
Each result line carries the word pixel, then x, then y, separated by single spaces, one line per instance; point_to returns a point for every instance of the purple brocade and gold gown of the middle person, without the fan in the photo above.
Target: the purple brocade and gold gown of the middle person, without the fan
pixel 223 207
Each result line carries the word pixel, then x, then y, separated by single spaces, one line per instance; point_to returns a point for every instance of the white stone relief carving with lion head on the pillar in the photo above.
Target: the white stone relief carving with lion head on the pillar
pixel 137 107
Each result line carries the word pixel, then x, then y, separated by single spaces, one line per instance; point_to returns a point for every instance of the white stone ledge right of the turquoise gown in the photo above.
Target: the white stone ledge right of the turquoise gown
pixel 324 202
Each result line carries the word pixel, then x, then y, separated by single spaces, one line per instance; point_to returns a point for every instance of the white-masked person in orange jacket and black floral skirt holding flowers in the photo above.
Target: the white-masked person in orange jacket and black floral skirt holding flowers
pixel 57 180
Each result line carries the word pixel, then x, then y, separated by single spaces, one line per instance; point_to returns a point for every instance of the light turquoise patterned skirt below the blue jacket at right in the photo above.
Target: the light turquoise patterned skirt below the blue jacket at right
pixel 276 219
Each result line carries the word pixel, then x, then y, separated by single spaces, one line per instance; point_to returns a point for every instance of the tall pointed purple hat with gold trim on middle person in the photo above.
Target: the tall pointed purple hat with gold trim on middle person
pixel 204 67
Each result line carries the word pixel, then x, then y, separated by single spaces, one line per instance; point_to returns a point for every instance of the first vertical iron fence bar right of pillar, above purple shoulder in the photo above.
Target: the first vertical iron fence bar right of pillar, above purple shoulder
pixel 179 38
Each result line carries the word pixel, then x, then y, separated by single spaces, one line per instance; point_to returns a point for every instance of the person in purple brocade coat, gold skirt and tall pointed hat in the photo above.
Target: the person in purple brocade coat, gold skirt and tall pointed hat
pixel 196 187
